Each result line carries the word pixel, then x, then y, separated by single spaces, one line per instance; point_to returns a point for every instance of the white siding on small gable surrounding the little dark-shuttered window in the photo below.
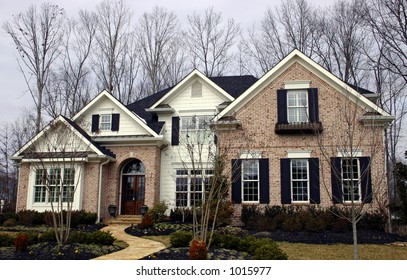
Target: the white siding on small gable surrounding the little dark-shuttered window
pixel 127 126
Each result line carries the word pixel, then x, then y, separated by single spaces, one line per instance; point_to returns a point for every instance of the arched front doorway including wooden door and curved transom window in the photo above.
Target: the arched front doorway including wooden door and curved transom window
pixel 133 187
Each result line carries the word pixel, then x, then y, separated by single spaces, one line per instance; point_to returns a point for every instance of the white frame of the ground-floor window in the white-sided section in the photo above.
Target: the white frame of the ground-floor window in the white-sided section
pixel 206 174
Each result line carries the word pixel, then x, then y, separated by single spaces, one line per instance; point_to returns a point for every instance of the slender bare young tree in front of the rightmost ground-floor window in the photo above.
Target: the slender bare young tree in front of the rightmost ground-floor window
pixel 350 187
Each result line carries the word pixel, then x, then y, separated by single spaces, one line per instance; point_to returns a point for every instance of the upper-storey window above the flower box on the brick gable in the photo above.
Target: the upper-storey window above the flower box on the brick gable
pixel 297 106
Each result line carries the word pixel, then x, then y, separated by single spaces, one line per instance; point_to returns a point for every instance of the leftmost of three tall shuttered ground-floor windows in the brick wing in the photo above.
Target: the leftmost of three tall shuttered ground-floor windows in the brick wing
pixel 250 180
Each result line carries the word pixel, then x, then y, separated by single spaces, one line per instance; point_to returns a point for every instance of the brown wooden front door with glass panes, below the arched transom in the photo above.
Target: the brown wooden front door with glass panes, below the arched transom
pixel 132 194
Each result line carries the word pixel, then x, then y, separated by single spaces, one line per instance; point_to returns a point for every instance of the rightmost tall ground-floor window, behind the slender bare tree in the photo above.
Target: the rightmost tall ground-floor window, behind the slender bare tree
pixel 350 180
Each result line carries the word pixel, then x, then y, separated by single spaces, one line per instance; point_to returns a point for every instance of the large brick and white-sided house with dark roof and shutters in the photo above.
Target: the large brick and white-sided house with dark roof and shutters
pixel 280 134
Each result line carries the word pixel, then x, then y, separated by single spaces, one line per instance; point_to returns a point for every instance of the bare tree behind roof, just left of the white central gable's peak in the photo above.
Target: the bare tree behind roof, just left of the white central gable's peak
pixel 157 36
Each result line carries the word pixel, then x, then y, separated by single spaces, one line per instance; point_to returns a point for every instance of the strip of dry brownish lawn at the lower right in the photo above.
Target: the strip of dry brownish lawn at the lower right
pixel 301 251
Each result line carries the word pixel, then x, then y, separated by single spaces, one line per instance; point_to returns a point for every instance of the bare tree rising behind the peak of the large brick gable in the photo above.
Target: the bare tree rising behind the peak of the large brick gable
pixel 293 25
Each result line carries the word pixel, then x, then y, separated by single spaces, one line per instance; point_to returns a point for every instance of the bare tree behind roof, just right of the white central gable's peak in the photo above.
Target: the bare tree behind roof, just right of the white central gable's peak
pixel 210 41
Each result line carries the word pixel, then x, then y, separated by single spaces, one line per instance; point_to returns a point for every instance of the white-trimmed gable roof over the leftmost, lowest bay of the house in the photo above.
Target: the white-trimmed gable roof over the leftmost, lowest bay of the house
pixel 79 132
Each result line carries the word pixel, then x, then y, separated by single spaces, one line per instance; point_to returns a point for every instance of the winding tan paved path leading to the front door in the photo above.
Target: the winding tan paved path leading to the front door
pixel 138 247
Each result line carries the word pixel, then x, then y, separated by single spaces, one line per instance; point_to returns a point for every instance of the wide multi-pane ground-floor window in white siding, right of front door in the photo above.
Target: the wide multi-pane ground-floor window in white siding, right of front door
pixel 191 185
